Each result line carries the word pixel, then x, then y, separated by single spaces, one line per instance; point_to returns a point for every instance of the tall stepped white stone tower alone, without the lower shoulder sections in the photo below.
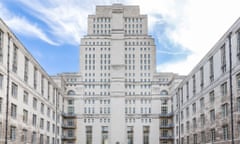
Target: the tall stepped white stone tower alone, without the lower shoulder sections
pixel 117 61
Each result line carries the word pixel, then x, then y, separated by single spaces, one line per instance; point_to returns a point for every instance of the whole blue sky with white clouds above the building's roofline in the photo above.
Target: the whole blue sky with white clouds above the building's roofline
pixel 184 30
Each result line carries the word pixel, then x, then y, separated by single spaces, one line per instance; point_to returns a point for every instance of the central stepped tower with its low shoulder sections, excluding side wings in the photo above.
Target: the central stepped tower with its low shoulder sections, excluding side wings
pixel 118 97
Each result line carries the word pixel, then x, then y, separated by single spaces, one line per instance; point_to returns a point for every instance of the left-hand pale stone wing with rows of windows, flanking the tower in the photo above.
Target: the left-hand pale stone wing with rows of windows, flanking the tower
pixel 30 101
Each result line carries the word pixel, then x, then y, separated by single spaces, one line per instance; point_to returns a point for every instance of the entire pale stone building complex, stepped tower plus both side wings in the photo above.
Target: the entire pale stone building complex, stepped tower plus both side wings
pixel 118 97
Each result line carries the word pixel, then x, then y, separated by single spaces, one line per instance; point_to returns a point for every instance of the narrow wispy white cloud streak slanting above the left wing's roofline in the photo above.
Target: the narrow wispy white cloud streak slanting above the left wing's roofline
pixel 23 26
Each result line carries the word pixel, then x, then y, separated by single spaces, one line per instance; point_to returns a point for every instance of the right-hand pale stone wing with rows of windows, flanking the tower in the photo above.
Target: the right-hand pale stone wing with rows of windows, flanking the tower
pixel 207 103
